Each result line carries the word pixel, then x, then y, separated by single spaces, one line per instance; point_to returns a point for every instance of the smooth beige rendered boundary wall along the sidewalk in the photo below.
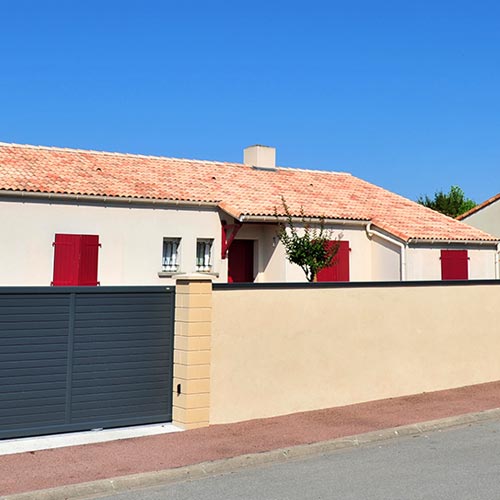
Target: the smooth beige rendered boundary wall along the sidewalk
pixel 282 351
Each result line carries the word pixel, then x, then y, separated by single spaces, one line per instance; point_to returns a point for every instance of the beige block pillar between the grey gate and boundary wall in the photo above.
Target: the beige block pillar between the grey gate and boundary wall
pixel 192 346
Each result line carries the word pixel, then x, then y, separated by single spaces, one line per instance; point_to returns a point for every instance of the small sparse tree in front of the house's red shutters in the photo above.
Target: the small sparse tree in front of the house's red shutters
pixel 313 250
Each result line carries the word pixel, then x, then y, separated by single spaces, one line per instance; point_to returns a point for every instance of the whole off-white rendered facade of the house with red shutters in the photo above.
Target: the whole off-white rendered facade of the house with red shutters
pixel 132 238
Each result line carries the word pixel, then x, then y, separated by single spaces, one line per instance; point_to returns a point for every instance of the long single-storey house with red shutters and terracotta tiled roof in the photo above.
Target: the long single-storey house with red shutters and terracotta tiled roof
pixel 75 217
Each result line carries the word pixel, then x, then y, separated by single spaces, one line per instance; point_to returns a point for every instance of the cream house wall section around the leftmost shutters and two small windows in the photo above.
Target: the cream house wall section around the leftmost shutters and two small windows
pixel 131 238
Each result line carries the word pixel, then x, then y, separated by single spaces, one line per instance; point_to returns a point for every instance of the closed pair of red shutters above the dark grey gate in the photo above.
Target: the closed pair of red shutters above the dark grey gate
pixel 75 260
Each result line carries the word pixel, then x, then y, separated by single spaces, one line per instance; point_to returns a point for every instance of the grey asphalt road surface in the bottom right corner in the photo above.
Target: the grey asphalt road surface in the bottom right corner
pixel 457 464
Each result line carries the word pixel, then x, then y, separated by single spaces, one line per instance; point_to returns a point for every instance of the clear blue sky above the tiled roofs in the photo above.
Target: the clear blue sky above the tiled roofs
pixel 403 94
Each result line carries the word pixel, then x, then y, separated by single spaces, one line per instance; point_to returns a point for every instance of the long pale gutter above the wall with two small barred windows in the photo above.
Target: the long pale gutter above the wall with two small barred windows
pixel 28 195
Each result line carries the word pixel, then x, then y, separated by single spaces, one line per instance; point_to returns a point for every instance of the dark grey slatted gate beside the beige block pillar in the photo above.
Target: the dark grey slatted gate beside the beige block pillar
pixel 79 358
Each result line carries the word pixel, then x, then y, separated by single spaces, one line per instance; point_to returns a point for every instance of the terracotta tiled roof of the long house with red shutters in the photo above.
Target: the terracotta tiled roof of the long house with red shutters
pixel 238 189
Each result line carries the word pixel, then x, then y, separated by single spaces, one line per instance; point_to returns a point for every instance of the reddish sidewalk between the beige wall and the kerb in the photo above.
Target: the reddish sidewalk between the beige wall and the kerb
pixel 77 464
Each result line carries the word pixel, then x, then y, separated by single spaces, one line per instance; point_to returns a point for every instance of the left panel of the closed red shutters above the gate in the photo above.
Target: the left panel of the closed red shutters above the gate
pixel 66 257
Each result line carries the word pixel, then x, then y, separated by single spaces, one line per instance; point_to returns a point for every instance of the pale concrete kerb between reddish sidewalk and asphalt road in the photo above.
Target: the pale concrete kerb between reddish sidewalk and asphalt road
pixel 189 472
